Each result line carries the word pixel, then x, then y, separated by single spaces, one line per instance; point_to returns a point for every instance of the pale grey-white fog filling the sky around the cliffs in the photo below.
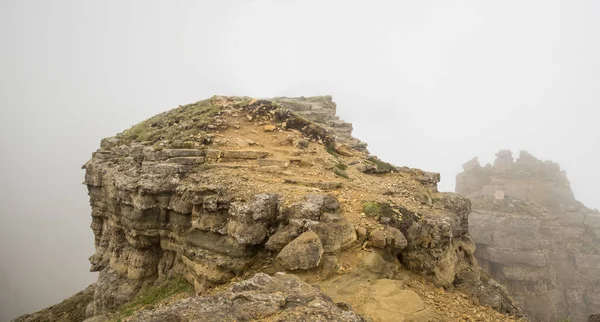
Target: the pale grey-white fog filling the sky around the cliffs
pixel 428 84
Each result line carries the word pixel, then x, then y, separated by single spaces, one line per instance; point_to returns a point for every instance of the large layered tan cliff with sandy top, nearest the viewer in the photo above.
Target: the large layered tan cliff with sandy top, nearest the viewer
pixel 230 188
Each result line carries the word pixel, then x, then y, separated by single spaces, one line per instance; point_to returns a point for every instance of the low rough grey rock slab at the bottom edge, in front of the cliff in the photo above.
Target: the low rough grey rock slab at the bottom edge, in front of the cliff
pixel 281 297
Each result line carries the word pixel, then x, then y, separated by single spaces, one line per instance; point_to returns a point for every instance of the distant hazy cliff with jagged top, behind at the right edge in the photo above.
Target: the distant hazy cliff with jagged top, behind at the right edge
pixel 533 236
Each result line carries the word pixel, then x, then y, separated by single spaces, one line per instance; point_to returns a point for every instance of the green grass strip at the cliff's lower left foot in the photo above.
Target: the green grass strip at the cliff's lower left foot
pixel 150 295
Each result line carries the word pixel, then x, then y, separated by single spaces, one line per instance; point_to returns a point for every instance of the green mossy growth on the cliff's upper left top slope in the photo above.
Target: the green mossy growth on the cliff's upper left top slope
pixel 176 124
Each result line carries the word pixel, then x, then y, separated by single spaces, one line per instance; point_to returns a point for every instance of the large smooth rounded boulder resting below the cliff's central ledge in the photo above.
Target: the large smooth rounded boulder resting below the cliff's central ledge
pixel 304 252
